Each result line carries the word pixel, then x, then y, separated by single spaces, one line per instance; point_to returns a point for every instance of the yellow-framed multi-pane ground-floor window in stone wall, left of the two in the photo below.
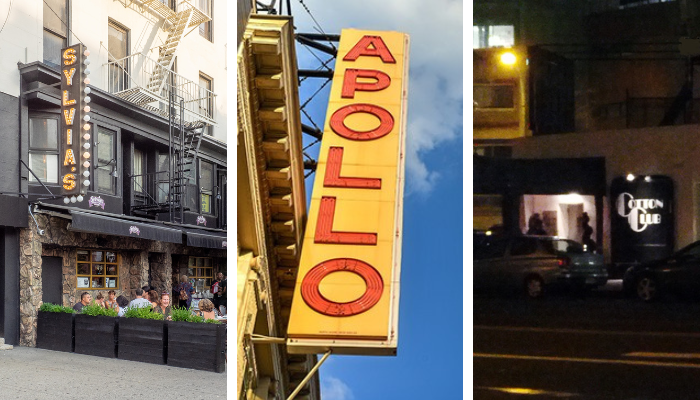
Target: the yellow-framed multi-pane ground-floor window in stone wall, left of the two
pixel 97 269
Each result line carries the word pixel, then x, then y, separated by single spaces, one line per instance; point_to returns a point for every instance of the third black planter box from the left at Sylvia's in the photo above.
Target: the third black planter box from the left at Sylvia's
pixel 142 340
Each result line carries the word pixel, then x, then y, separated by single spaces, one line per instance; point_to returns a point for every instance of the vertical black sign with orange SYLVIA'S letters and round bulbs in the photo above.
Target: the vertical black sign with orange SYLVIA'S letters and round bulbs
pixel 74 156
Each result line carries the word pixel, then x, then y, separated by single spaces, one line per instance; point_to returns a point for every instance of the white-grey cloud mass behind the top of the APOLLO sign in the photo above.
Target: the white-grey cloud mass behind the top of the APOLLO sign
pixel 435 86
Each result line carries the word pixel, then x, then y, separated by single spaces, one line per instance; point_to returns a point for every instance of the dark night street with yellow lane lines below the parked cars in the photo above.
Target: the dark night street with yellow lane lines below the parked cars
pixel 603 346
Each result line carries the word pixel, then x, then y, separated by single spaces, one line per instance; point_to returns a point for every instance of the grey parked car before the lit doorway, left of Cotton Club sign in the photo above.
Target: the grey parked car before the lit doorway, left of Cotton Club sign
pixel 535 264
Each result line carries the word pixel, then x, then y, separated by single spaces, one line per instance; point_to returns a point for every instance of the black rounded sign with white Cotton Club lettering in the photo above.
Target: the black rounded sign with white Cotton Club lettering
pixel 641 218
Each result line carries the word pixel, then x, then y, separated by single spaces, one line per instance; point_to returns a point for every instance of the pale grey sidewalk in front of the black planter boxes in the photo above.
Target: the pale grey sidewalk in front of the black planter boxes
pixel 28 373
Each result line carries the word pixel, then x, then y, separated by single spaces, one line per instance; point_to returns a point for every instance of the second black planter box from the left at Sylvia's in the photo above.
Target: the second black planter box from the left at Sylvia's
pixel 96 336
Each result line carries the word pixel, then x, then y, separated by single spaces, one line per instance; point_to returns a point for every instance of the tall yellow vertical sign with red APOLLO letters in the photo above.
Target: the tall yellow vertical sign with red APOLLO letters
pixel 347 290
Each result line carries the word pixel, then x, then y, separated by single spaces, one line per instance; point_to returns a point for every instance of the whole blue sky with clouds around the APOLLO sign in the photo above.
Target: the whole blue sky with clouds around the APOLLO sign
pixel 429 361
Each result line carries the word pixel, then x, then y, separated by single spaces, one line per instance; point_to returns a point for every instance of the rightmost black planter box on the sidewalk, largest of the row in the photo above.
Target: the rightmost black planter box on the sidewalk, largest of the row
pixel 197 346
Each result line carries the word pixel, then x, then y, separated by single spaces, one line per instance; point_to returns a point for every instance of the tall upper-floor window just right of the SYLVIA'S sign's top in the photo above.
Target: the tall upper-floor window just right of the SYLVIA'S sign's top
pixel 118 51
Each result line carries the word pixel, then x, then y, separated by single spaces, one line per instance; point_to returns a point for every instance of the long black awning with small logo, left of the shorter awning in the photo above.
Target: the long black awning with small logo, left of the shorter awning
pixel 86 222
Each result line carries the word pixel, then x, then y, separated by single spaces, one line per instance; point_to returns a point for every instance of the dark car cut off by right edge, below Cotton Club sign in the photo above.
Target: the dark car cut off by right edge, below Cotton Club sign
pixel 678 274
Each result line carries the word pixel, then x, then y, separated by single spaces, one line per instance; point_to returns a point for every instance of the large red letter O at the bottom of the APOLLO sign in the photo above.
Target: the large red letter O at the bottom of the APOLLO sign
pixel 312 295
